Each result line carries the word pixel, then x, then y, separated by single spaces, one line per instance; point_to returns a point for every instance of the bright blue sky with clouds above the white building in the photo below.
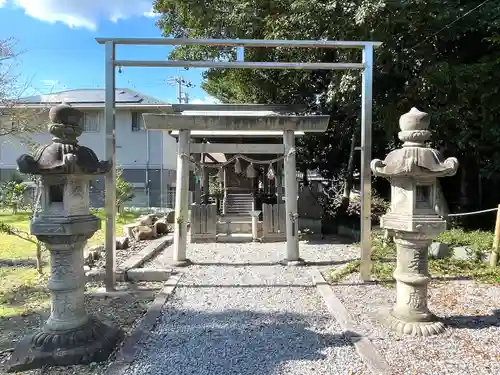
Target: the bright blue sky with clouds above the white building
pixel 61 53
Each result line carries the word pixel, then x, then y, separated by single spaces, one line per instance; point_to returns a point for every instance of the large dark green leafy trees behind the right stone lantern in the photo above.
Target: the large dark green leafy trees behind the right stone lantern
pixel 437 55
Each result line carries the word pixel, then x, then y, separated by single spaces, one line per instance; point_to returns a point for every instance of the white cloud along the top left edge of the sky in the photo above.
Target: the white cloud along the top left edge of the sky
pixel 82 13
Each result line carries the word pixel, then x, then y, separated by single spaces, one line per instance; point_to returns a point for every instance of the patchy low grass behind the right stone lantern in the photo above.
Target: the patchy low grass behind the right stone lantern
pixel 384 259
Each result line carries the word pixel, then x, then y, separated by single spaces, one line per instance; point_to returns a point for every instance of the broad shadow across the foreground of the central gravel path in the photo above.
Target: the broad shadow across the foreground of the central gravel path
pixel 237 342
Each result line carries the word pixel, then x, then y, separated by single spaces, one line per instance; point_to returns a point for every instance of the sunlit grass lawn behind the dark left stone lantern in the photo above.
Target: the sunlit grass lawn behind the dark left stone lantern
pixel 22 289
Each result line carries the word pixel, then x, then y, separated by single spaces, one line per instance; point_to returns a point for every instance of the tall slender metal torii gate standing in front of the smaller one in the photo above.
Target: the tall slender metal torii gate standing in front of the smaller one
pixel 366 67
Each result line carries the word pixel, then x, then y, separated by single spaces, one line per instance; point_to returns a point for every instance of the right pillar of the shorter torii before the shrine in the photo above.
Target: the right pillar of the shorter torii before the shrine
pixel 291 227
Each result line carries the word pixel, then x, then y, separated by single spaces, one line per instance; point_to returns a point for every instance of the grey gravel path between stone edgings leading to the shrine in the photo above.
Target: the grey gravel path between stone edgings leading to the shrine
pixel 229 316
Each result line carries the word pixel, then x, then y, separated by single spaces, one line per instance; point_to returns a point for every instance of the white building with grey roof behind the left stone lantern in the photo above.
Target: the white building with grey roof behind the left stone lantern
pixel 148 158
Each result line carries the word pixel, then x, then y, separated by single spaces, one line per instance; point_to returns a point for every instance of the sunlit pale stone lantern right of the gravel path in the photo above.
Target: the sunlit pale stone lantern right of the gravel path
pixel 412 220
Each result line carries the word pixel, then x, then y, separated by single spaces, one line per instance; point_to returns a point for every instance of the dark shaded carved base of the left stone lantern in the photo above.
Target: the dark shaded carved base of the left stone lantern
pixel 92 342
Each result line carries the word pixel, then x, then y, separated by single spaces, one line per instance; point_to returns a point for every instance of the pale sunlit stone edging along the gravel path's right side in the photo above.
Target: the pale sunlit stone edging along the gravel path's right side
pixel 364 347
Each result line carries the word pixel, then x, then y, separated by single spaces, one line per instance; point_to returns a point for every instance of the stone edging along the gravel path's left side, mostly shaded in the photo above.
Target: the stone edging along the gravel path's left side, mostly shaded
pixel 127 353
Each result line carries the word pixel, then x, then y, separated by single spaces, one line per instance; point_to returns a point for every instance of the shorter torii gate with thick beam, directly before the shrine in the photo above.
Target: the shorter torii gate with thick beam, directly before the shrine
pixel 184 124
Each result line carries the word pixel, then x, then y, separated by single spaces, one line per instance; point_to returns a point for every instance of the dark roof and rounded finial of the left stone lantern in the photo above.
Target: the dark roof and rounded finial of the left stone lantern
pixel 64 155
